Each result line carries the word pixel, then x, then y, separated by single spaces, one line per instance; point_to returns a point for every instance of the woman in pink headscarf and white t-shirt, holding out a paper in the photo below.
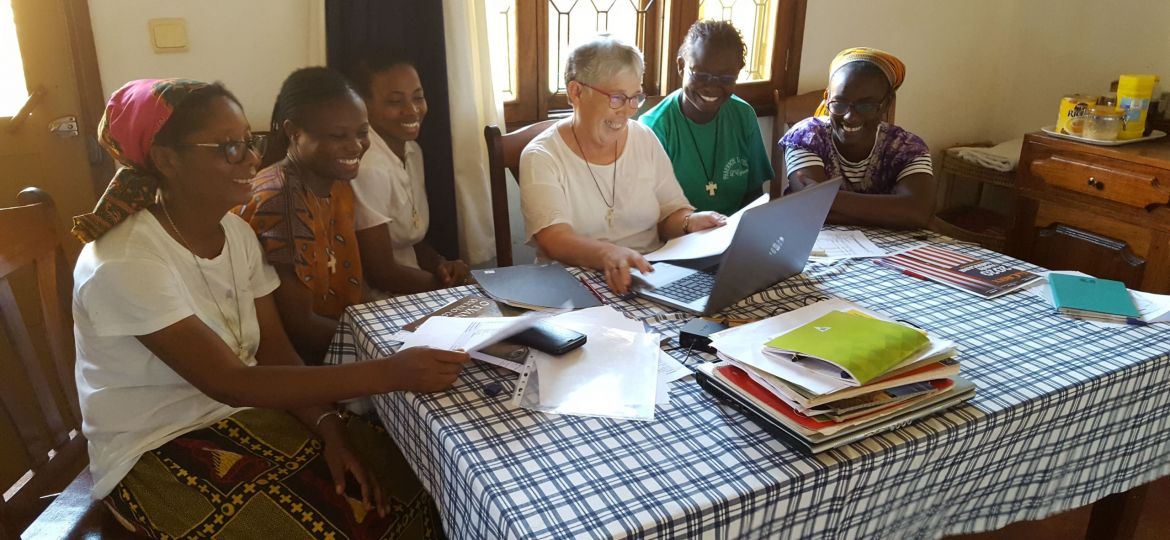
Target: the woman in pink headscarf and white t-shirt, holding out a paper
pixel 189 387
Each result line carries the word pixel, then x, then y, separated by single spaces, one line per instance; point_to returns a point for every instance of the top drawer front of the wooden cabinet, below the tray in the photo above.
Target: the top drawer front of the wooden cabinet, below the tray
pixel 1139 186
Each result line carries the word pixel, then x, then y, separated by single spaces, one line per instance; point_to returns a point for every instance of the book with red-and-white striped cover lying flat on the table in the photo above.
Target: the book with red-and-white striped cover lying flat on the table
pixel 982 278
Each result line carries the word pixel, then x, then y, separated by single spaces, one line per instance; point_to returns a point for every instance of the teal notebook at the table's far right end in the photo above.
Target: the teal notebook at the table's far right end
pixel 1092 299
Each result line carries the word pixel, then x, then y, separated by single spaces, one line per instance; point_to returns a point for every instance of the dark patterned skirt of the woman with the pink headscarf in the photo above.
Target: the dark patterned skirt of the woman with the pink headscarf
pixel 261 474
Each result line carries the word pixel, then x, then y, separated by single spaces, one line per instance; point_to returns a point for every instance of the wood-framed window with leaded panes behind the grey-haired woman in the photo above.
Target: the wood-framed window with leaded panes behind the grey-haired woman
pixel 529 41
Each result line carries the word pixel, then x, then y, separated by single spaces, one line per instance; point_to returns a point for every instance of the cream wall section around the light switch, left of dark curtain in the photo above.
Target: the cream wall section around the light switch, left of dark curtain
pixel 250 46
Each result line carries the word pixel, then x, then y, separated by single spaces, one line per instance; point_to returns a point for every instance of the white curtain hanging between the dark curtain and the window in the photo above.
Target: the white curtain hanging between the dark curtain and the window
pixel 473 106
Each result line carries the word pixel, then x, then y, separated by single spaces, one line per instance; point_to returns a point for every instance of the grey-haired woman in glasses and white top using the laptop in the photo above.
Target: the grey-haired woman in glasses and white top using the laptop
pixel 597 190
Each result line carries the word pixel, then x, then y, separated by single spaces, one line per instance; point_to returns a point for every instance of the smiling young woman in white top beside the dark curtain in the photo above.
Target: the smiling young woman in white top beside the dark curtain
pixel 390 207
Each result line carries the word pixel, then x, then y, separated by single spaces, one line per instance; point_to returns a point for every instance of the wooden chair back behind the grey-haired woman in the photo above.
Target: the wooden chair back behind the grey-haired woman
pixel 504 155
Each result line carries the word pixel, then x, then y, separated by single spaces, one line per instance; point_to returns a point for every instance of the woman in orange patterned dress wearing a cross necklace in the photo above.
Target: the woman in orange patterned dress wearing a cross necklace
pixel 302 206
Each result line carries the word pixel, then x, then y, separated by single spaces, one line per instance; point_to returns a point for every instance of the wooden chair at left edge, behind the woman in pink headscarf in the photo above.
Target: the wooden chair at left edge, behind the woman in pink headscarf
pixel 39 397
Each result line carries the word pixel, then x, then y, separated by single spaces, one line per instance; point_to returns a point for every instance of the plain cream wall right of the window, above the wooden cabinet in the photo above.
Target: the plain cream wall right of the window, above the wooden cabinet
pixel 990 70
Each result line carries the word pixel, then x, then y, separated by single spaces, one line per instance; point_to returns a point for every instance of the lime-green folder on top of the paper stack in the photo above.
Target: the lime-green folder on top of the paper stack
pixel 862 347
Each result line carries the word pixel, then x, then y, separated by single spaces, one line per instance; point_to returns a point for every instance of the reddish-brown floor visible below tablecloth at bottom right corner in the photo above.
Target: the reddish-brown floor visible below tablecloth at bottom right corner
pixel 1154 525
